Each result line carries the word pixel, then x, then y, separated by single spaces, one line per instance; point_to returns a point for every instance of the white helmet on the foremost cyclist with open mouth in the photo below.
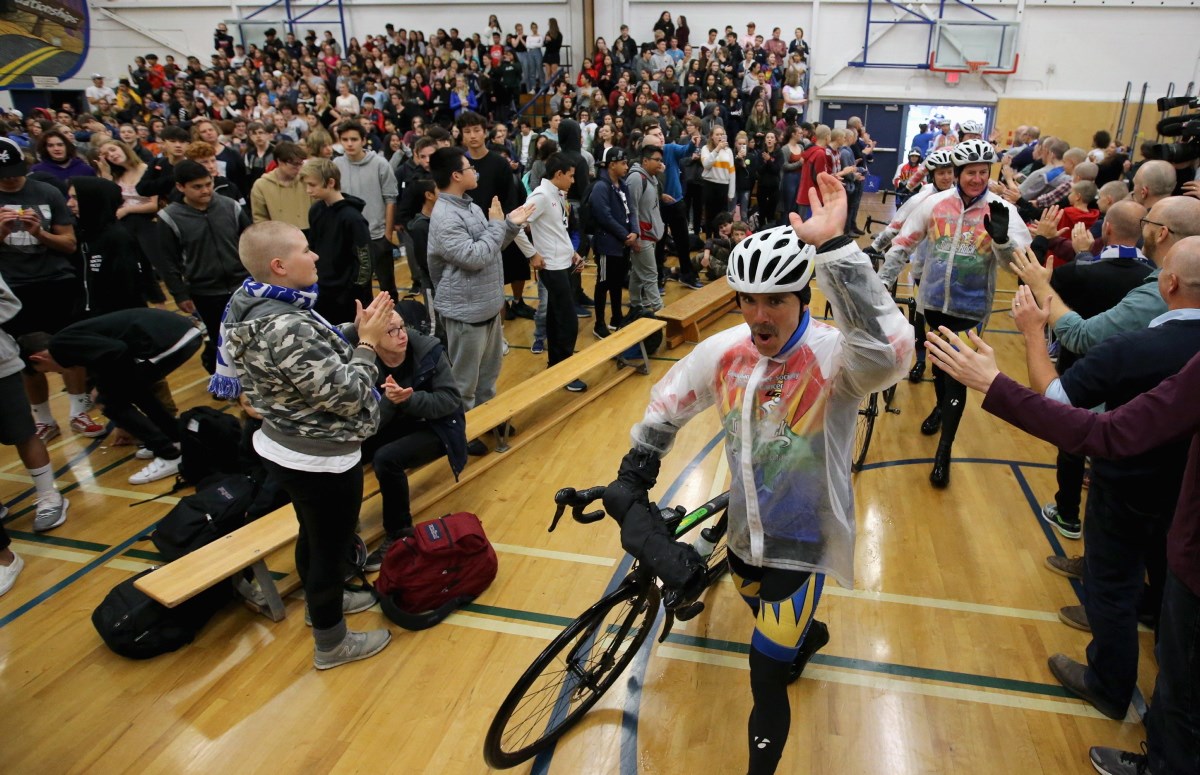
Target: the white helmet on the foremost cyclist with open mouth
pixel 772 261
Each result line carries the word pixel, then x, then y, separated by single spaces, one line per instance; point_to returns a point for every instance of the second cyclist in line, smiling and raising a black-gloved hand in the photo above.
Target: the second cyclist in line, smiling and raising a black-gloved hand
pixel 971 232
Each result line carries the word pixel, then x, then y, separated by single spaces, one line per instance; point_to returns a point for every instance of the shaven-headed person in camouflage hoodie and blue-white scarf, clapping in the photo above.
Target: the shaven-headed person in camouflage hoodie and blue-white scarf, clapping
pixel 314 386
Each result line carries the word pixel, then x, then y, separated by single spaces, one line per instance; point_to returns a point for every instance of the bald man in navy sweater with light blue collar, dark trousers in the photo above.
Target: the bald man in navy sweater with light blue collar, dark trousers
pixel 1131 502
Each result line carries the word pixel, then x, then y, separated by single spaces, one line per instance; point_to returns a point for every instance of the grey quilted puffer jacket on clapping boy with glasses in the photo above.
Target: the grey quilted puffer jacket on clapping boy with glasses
pixel 465 260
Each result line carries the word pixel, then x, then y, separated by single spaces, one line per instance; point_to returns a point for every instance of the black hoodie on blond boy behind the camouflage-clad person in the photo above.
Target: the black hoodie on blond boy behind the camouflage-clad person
pixel 339 235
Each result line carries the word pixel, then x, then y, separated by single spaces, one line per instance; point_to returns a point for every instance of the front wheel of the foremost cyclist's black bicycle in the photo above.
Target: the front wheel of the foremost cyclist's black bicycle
pixel 548 710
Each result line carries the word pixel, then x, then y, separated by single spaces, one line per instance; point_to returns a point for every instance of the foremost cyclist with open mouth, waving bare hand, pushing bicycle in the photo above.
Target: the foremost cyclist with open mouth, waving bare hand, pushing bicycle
pixel 788 390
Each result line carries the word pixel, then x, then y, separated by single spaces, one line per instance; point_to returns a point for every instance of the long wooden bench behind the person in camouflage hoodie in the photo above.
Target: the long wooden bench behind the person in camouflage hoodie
pixel 255 544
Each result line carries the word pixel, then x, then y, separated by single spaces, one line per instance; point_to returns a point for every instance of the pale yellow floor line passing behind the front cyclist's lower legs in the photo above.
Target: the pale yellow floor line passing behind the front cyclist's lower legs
pixel 896 686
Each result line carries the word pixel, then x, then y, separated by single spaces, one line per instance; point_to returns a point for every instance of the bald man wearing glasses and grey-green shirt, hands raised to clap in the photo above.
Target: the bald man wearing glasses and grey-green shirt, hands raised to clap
pixel 1168 223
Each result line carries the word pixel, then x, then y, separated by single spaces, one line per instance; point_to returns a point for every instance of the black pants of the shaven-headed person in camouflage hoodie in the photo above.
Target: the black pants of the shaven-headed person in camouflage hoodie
pixel 327 508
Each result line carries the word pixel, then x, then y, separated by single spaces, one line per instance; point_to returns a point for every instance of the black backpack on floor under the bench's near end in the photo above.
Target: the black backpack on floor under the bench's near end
pixel 135 626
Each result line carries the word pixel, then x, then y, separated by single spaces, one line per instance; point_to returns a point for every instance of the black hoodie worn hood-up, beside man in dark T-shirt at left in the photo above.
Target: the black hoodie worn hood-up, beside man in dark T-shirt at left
pixel 112 273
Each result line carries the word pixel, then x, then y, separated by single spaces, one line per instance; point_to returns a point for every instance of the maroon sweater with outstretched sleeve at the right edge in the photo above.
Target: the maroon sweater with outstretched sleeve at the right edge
pixel 1167 413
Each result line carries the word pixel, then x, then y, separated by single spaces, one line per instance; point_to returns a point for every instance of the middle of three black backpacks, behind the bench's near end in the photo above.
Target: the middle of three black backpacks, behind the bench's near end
pixel 218 509
